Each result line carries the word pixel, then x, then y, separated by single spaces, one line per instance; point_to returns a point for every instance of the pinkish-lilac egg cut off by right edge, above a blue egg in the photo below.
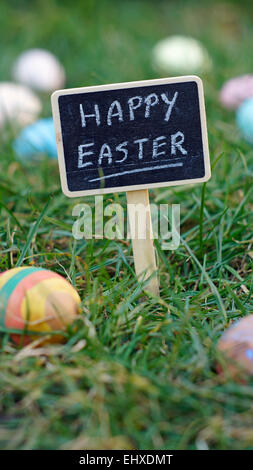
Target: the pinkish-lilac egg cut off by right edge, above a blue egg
pixel 236 90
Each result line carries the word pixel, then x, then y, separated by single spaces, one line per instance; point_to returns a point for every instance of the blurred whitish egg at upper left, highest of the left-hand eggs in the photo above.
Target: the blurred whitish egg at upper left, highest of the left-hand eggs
pixel 39 69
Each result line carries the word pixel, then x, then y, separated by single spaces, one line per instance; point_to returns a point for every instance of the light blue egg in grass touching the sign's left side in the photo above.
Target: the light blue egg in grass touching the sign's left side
pixel 36 139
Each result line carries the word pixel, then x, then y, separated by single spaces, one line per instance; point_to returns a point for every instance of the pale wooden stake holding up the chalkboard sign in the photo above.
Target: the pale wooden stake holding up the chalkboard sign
pixel 143 249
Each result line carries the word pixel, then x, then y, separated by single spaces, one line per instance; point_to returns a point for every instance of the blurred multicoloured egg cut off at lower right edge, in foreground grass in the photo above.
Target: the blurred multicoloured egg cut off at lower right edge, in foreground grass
pixel 237 346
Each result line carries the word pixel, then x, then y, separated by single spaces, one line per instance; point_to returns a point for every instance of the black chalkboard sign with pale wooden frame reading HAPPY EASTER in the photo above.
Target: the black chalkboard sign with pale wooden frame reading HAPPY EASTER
pixel 130 136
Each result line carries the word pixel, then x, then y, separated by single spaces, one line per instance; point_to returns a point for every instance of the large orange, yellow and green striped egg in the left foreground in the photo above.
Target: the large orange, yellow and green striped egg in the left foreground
pixel 35 300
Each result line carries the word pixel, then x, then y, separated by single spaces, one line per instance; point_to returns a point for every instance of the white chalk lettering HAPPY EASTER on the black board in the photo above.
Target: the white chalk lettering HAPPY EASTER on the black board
pixel 105 155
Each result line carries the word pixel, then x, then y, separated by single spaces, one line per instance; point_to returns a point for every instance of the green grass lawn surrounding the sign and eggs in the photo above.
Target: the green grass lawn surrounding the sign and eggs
pixel 138 372
